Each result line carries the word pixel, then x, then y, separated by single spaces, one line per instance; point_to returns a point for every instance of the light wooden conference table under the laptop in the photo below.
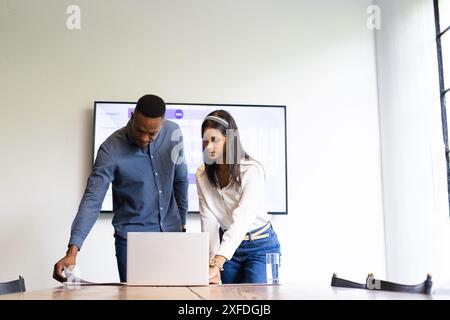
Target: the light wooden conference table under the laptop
pixel 288 291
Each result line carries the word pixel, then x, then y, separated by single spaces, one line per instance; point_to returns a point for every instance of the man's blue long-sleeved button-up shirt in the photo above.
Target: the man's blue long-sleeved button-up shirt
pixel 150 185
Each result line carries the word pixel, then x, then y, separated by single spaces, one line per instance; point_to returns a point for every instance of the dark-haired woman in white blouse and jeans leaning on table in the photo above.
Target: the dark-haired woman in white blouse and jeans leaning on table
pixel 231 193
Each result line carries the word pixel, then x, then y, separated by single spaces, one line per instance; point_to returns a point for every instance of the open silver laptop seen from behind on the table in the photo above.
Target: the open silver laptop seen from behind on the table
pixel 167 259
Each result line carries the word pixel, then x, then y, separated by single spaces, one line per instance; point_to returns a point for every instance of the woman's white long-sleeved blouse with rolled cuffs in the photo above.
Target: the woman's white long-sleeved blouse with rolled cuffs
pixel 237 210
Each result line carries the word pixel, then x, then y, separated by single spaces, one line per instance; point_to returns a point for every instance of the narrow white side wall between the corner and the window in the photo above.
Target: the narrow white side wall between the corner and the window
pixel 413 159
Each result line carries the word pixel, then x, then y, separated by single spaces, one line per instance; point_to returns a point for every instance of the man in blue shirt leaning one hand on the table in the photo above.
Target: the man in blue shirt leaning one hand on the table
pixel 145 163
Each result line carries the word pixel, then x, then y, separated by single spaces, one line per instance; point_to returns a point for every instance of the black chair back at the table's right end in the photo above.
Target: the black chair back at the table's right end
pixel 374 284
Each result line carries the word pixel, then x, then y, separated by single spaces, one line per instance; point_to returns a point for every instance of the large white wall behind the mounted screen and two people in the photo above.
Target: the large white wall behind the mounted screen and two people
pixel 317 57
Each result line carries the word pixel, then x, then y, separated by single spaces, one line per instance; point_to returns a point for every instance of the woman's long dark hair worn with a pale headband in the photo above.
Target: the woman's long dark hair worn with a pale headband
pixel 233 150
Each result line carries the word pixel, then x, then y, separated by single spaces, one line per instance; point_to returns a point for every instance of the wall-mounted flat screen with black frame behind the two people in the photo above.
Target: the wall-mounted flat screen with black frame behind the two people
pixel 262 129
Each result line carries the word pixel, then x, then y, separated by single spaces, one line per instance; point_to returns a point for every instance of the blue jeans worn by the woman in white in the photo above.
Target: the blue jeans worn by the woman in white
pixel 248 264
